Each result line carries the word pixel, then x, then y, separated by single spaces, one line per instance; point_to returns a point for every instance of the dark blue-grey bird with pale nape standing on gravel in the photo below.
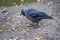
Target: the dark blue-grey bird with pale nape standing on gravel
pixel 34 15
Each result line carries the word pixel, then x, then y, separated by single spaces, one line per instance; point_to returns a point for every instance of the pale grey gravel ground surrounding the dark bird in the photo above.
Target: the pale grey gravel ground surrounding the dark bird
pixel 15 26
